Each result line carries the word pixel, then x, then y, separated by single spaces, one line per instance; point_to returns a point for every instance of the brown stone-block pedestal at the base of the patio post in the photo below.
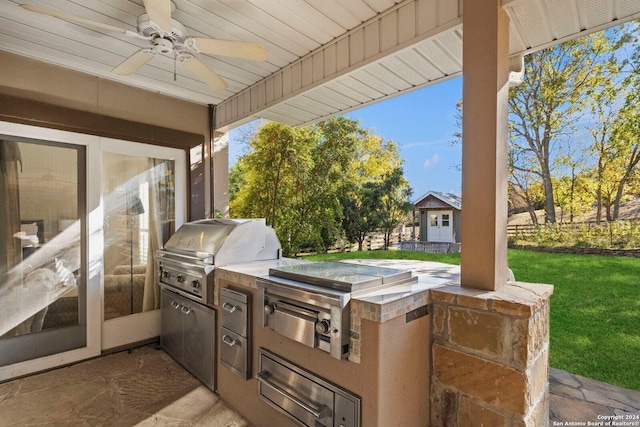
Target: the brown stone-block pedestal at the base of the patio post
pixel 490 352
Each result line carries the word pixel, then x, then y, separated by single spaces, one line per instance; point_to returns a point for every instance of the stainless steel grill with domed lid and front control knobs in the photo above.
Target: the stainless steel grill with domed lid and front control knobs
pixel 187 262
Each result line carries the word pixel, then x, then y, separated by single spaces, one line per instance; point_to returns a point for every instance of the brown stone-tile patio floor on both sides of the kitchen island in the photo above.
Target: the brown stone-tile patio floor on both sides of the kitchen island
pixel 146 387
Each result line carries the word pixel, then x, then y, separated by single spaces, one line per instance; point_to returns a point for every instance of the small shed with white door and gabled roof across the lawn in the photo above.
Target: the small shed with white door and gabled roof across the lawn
pixel 439 216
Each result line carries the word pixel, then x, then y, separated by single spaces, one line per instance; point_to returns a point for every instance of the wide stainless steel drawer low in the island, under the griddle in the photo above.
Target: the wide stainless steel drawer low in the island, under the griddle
pixel 306 398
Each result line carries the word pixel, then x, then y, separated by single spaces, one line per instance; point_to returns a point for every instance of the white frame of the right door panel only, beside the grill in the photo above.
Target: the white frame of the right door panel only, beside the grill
pixel 140 327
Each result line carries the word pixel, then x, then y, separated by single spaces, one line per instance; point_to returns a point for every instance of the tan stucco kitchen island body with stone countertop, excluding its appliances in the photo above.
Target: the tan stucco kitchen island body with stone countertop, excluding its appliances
pixel 387 368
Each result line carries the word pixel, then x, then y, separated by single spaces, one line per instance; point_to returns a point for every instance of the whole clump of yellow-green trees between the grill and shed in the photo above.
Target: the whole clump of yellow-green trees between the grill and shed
pixel 312 182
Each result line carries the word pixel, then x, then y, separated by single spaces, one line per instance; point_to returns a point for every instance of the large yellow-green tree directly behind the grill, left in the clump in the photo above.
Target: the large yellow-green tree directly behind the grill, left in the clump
pixel 292 177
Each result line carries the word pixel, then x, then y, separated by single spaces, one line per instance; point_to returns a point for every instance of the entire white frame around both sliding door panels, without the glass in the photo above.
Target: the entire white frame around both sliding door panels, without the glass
pixel 99 335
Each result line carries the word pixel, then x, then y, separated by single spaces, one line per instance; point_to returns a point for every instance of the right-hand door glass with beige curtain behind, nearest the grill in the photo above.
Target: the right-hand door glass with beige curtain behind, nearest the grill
pixel 139 216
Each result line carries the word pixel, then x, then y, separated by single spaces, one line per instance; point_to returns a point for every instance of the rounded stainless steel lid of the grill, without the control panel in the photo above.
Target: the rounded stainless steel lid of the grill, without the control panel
pixel 224 241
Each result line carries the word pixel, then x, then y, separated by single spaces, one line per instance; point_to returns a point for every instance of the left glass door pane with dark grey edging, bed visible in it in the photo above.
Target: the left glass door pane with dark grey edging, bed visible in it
pixel 42 249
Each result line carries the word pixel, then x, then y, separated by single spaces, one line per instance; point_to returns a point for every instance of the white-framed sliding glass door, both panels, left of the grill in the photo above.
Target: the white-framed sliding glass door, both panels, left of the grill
pixel 80 219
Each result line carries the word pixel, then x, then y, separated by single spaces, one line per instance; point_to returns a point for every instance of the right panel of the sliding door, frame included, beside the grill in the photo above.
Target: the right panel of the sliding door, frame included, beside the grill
pixel 140 213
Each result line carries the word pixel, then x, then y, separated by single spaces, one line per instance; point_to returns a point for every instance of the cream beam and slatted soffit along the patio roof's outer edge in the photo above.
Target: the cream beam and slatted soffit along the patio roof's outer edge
pixel 414 44
